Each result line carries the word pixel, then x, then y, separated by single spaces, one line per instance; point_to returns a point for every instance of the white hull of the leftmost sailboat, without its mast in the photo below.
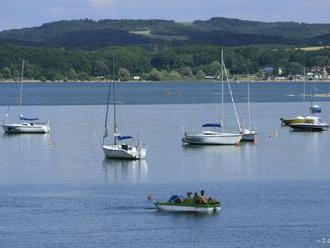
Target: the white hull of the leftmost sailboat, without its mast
pixel 18 128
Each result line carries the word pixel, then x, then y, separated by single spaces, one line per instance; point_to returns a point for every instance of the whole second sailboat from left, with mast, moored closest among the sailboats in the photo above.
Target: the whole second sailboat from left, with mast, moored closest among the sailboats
pixel 120 149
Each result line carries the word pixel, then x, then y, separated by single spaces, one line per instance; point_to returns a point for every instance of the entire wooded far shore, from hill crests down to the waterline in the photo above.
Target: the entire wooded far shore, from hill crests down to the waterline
pixel 162 50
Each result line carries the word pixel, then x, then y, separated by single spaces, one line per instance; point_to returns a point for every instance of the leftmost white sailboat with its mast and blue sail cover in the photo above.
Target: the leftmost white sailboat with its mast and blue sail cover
pixel 25 125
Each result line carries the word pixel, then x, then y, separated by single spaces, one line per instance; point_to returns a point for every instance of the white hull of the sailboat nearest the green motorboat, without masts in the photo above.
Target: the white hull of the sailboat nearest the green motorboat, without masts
pixel 120 152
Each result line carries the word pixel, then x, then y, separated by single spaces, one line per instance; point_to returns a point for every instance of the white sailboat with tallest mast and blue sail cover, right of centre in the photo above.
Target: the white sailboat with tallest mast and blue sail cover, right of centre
pixel 213 136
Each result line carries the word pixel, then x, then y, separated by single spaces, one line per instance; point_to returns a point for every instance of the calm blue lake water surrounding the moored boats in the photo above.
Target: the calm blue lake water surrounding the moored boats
pixel 58 191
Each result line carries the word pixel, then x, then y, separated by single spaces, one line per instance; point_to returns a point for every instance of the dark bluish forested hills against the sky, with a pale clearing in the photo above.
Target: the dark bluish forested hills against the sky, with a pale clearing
pixel 80 34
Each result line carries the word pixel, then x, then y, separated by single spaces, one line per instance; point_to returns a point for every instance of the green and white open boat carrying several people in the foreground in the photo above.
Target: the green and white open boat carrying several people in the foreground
pixel 196 204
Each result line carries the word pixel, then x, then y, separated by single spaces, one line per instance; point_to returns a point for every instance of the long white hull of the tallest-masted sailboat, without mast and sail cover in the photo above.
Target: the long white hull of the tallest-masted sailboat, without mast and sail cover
pixel 214 138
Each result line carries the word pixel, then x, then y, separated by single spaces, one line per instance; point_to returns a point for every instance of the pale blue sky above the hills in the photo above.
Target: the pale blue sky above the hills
pixel 28 13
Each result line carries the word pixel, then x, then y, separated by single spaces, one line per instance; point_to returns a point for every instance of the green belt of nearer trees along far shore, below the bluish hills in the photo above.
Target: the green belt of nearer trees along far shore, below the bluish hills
pixel 152 62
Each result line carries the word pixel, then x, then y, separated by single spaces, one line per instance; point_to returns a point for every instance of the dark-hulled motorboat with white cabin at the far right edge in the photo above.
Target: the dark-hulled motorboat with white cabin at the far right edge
pixel 311 123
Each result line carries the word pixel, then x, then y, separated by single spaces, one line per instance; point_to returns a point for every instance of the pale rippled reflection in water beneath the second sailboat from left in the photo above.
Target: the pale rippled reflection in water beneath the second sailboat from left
pixel 119 171
